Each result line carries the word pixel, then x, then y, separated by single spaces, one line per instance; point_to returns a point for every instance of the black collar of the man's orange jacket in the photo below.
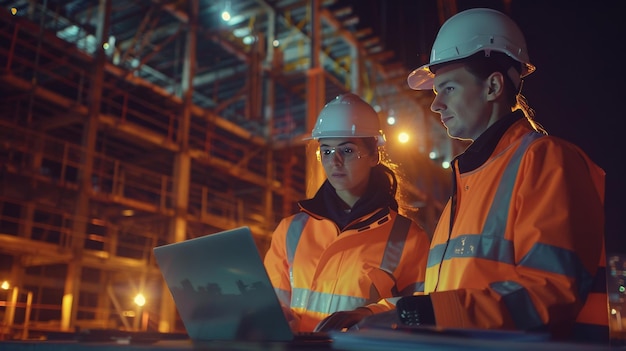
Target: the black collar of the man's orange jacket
pixel 482 148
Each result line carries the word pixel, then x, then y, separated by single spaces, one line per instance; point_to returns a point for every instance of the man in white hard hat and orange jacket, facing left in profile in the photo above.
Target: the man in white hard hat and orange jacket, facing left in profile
pixel 520 243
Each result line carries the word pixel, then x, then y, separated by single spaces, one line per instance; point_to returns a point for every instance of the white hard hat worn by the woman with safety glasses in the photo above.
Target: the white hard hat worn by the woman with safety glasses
pixel 348 116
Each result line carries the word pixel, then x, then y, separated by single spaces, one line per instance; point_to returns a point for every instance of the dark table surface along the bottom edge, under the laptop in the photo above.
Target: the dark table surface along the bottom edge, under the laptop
pixel 363 340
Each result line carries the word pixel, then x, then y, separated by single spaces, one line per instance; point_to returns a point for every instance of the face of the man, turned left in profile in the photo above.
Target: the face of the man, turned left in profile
pixel 462 102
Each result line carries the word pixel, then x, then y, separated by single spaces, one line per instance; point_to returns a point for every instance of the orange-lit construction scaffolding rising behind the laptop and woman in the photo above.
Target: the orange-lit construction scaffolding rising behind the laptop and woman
pixel 125 125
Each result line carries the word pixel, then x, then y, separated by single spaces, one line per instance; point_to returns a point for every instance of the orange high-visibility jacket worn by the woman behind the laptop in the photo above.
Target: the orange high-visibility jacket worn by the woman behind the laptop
pixel 317 269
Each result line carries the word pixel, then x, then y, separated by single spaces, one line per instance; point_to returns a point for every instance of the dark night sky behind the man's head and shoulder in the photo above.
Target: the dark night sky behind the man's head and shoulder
pixel 578 88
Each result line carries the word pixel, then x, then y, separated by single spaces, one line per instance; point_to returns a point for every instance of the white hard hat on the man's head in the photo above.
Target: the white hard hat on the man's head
pixel 471 31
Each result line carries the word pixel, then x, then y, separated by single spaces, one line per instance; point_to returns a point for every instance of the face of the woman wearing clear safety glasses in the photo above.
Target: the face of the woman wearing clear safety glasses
pixel 347 163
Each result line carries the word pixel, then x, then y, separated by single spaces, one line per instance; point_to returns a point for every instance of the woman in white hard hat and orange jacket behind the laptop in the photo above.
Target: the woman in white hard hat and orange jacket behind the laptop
pixel 348 249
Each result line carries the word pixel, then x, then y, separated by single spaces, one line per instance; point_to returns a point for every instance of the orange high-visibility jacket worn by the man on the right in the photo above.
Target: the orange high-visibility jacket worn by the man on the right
pixel 522 247
